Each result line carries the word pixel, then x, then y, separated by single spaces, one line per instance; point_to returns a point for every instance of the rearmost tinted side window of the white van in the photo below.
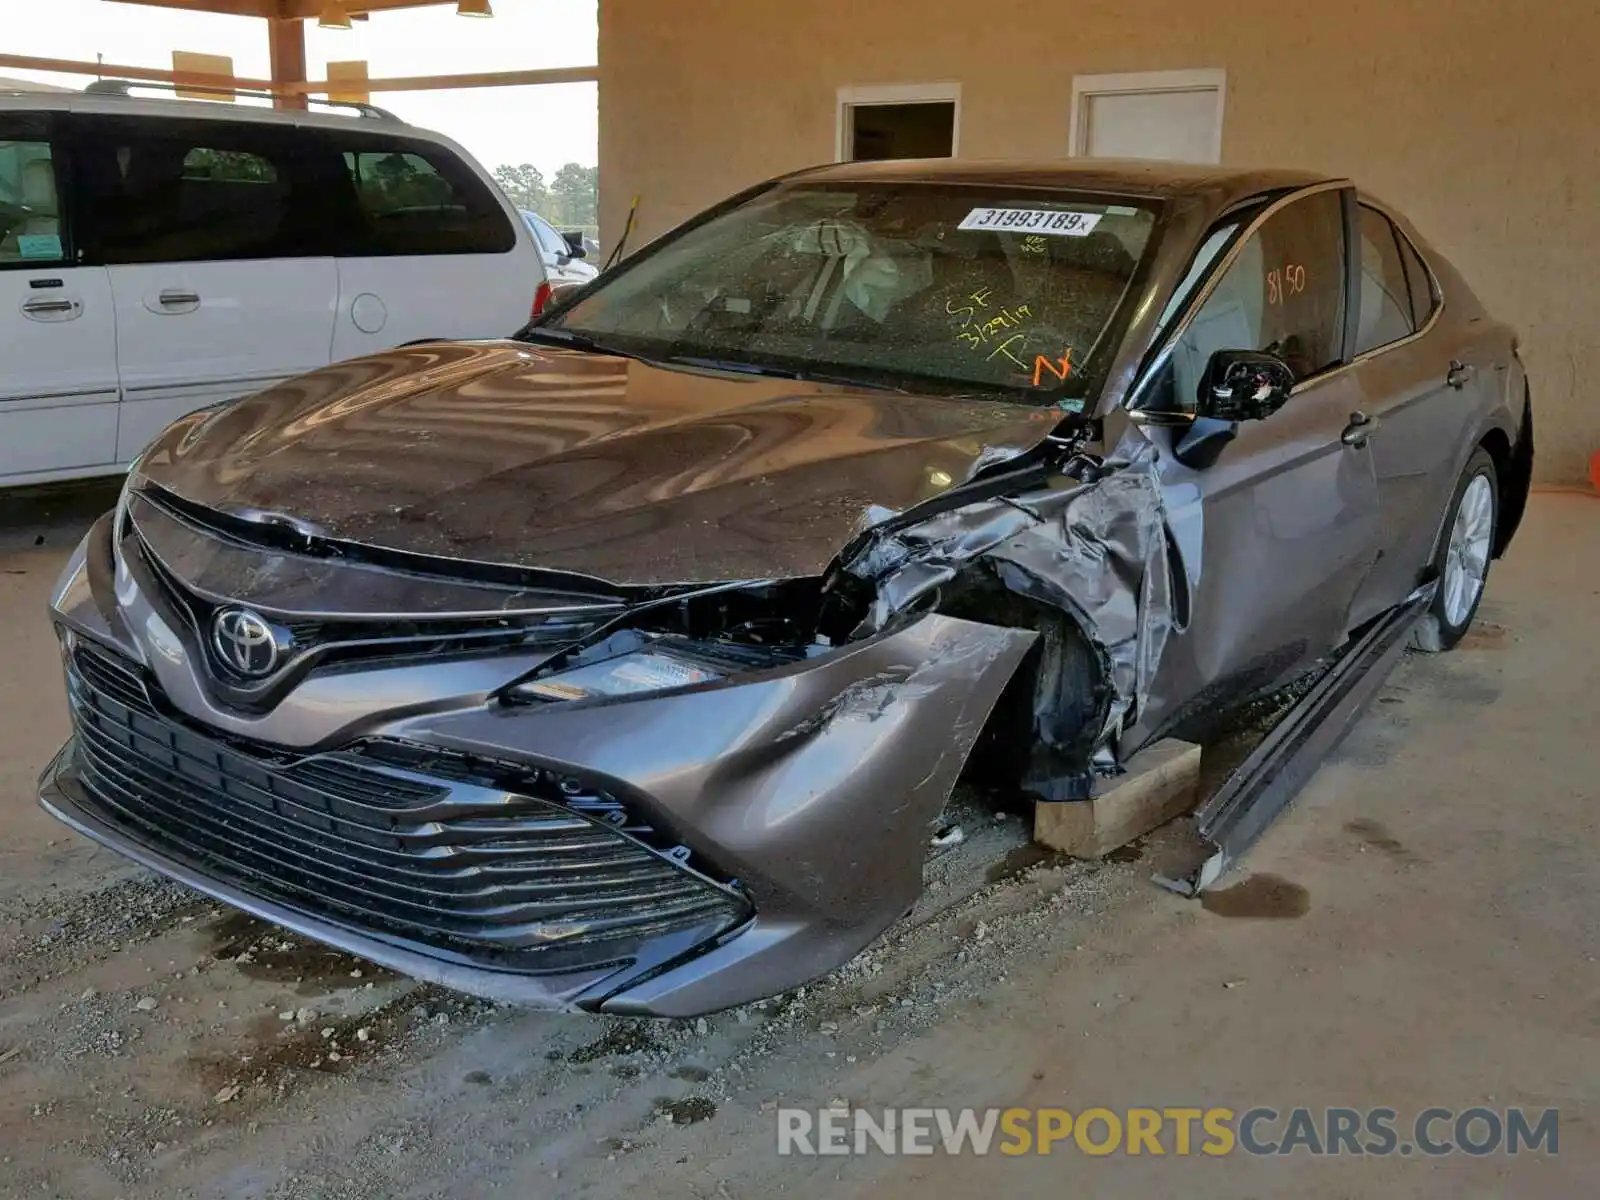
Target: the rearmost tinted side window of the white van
pixel 417 199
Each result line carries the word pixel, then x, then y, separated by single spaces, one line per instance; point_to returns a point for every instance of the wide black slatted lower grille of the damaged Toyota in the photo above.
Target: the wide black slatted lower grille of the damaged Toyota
pixel 478 873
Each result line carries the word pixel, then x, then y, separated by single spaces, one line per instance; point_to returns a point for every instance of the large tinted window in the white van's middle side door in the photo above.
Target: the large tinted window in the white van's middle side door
pixel 194 191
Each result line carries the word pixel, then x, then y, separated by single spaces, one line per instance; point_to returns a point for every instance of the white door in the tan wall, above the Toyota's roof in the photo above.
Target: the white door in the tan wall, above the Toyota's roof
pixel 1164 114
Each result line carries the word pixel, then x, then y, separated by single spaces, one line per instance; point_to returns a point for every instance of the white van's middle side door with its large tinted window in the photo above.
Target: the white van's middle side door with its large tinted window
pixel 217 255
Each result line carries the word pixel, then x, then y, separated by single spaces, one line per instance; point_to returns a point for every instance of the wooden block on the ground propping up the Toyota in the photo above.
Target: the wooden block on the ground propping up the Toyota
pixel 1161 783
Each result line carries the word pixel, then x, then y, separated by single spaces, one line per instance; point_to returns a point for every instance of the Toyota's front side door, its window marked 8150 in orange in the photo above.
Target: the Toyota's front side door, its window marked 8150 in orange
pixel 1276 538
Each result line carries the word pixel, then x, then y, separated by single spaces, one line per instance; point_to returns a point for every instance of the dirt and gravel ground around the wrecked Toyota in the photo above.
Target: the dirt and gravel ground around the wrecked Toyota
pixel 1420 930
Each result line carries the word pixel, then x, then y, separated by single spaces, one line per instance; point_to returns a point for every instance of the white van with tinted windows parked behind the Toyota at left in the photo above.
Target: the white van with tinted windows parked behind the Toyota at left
pixel 161 255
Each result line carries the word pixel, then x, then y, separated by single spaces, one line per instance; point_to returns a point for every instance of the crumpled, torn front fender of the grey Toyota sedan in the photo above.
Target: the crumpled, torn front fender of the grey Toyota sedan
pixel 1090 551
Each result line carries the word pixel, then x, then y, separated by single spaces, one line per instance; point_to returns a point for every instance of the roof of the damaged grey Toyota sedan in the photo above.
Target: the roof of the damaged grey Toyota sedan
pixel 1127 177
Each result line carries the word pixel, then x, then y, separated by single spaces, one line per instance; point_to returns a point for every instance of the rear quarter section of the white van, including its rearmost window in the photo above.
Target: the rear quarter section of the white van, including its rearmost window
pixel 428 249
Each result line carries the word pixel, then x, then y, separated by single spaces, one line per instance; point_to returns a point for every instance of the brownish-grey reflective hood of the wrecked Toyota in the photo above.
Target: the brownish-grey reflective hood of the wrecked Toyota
pixel 534 457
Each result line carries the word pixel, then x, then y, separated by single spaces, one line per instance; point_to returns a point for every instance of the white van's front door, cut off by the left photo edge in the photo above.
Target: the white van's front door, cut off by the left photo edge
pixel 58 366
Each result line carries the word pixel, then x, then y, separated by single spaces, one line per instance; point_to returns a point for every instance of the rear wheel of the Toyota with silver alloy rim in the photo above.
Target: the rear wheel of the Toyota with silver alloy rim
pixel 1463 559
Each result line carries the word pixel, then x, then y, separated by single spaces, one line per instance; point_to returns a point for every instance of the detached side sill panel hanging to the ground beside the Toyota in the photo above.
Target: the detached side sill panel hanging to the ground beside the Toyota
pixel 1270 780
